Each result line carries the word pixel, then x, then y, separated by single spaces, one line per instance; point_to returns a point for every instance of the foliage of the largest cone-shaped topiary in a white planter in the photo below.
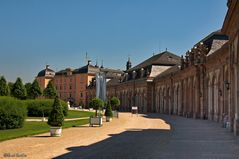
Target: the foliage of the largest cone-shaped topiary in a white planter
pixel 56 117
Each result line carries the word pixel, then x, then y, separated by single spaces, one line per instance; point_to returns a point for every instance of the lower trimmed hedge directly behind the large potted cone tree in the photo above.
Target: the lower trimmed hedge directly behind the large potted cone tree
pixel 38 107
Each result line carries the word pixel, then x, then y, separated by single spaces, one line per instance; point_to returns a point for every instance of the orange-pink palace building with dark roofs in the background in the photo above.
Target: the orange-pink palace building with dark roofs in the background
pixel 71 84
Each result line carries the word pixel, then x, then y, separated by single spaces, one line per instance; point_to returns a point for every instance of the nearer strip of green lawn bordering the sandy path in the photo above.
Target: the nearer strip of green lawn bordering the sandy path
pixel 33 128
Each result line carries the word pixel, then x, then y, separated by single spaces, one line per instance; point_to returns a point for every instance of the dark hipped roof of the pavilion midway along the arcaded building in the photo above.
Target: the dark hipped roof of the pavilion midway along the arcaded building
pixel 165 58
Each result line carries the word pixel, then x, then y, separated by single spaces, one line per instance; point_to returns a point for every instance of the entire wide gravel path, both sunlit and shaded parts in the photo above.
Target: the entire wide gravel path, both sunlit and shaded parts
pixel 151 136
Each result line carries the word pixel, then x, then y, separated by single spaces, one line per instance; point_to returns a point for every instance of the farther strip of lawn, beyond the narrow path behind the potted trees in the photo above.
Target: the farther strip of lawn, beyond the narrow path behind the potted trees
pixel 72 114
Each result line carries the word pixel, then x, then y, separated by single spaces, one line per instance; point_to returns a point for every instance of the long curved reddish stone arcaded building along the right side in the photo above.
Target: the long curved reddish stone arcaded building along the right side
pixel 204 83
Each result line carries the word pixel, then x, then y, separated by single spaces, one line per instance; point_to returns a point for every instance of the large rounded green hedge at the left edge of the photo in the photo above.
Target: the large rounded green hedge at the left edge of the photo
pixel 12 113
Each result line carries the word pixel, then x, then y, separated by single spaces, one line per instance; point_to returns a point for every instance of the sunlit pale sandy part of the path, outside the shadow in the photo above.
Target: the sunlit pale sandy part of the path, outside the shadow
pixel 42 146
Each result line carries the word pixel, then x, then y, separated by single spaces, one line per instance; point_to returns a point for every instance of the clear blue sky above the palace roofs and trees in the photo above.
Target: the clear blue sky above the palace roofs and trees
pixel 34 33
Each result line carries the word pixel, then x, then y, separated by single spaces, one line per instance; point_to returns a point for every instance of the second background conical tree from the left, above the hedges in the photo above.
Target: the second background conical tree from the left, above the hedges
pixel 19 90
